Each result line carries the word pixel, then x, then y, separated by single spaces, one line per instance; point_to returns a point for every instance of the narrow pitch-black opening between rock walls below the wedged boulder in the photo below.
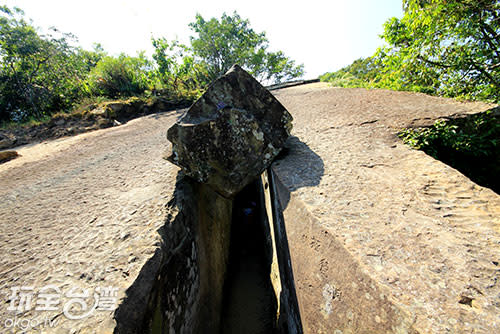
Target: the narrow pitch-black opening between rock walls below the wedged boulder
pixel 249 304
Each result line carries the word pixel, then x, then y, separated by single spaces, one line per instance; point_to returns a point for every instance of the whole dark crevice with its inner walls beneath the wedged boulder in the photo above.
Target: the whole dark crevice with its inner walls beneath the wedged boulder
pixel 223 267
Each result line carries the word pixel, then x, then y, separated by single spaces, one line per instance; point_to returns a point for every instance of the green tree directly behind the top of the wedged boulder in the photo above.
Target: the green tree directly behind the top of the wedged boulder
pixel 221 43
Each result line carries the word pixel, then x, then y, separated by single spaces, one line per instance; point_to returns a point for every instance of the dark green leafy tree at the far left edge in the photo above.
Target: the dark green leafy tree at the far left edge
pixel 38 73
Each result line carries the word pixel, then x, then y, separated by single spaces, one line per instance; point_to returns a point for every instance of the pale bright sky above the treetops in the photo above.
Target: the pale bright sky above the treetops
pixel 323 35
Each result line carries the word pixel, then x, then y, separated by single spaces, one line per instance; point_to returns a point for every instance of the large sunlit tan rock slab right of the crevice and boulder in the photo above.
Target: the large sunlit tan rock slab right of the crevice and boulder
pixel 426 236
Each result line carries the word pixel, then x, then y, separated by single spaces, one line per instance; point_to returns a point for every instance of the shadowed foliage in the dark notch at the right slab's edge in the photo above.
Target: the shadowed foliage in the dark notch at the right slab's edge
pixel 458 142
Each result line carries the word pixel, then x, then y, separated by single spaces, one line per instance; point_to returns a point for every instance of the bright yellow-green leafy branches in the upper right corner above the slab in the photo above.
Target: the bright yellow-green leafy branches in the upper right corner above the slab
pixel 443 47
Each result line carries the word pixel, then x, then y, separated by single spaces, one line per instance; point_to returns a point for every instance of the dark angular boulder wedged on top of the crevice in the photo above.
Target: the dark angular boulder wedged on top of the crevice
pixel 231 134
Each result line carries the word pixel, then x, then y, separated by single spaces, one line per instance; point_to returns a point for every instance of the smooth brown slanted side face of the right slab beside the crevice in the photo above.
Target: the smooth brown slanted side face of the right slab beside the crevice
pixel 334 293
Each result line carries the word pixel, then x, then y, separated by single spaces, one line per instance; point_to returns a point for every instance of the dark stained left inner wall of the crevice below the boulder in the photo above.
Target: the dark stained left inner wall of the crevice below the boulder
pixel 180 288
